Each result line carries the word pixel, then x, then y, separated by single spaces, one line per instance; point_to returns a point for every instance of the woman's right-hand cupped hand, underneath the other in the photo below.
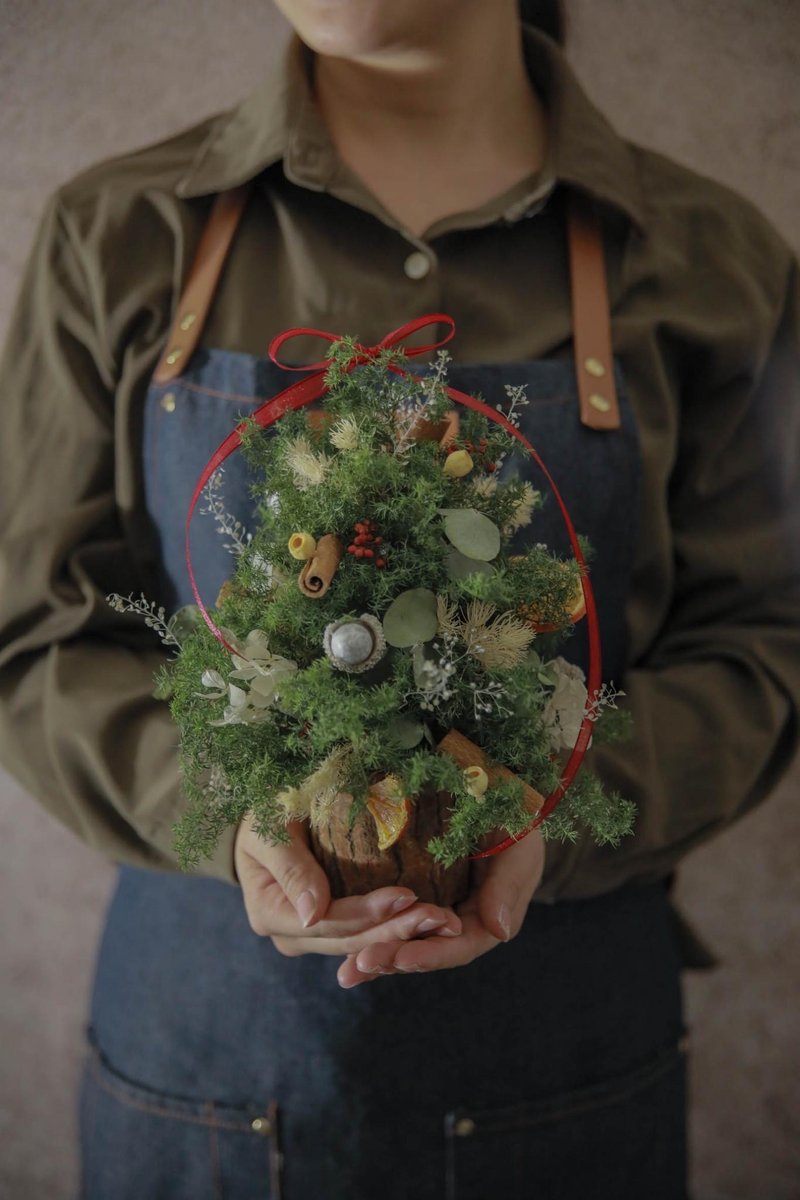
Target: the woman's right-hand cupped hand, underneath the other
pixel 502 889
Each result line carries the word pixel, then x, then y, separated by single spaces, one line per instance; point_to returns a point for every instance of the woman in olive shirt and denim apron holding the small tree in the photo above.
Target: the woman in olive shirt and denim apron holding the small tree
pixel 407 159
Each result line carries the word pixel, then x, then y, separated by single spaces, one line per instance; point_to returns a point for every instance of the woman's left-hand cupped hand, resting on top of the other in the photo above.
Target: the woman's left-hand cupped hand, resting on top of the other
pixel 288 898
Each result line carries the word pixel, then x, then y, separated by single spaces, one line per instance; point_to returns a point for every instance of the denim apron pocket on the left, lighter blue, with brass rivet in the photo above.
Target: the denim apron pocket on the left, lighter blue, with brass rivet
pixel 137 1142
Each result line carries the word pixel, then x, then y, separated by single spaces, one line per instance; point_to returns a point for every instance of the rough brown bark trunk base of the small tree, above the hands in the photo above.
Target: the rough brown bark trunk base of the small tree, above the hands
pixel 356 866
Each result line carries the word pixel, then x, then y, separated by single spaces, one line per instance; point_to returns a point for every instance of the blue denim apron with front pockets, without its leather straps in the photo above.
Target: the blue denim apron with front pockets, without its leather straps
pixel 554 1067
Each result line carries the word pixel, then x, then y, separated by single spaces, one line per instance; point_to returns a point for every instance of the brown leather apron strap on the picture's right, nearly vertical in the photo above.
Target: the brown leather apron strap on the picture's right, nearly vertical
pixel 594 362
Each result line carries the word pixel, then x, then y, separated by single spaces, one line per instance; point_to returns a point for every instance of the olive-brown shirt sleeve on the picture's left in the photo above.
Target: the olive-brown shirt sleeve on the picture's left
pixel 80 727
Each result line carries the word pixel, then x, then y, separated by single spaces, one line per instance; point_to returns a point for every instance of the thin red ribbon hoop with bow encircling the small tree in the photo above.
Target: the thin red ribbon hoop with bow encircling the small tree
pixel 304 393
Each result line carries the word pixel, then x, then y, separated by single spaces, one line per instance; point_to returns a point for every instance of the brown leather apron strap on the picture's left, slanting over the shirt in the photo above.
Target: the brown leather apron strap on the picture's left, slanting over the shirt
pixel 199 293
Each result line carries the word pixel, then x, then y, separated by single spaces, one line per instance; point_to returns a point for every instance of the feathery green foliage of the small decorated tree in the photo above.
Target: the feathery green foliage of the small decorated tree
pixel 476 667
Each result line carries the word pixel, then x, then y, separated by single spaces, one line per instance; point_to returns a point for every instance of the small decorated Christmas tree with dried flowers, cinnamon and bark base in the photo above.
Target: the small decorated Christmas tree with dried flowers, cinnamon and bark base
pixel 383 661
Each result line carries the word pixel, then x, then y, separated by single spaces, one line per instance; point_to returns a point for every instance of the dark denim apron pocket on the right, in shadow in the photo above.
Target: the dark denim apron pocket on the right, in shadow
pixel 623 1138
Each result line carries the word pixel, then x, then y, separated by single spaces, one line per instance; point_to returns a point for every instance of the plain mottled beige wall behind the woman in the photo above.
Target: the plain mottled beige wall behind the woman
pixel 714 83
